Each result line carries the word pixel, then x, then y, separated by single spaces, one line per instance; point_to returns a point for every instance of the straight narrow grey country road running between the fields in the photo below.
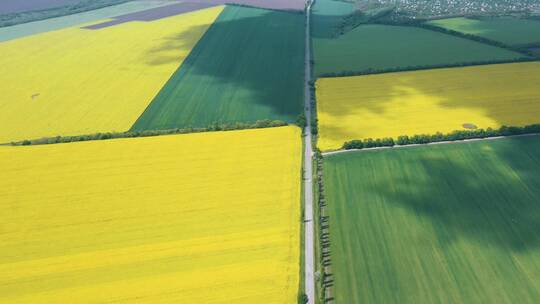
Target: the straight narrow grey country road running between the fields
pixel 309 254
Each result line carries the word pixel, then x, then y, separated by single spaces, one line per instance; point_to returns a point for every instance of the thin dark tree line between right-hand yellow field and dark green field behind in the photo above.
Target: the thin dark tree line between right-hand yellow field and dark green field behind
pixel 371 71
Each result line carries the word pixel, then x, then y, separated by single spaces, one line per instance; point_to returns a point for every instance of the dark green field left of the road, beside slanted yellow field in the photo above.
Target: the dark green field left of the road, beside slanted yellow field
pixel 248 66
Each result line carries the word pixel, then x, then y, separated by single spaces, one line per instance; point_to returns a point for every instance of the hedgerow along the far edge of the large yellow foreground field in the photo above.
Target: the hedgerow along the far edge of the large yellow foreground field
pixel 112 135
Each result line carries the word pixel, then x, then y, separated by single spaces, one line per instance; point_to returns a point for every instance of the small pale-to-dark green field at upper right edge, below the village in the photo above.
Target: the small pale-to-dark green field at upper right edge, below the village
pixel 508 30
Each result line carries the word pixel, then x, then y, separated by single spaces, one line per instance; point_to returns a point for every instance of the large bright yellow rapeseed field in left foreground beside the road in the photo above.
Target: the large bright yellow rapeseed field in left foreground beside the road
pixel 199 218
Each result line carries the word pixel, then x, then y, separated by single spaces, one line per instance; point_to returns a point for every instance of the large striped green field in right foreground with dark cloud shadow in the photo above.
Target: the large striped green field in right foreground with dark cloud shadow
pixel 455 223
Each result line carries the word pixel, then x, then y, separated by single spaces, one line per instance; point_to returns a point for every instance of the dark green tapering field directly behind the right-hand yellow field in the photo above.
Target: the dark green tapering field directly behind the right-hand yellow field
pixel 385 47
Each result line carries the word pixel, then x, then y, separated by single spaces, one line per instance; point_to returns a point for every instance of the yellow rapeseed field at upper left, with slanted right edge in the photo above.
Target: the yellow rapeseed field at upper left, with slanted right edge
pixel 78 81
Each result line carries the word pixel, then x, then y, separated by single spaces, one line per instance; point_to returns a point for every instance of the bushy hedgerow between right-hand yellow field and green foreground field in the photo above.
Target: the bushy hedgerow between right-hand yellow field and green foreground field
pixel 439 137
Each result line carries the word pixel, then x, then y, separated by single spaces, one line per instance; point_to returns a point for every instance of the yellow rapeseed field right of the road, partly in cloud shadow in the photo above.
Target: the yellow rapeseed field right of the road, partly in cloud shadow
pixel 426 102
